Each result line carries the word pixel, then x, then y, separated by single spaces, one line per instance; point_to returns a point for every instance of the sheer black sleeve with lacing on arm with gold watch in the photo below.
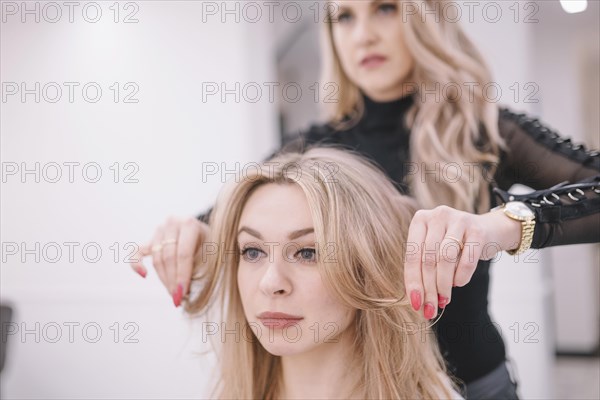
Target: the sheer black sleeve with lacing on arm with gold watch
pixel 565 177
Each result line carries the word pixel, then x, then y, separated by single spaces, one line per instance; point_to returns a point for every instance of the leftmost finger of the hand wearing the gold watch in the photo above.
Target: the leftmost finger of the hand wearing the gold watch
pixel 413 279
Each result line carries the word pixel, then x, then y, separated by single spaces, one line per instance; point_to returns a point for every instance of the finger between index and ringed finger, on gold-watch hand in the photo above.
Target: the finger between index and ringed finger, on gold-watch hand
pixel 431 250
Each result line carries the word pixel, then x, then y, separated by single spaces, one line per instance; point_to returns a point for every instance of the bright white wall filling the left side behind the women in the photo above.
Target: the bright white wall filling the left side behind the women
pixel 167 135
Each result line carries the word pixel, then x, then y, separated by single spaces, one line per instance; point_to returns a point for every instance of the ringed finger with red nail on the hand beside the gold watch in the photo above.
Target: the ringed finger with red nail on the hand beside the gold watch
pixel 450 252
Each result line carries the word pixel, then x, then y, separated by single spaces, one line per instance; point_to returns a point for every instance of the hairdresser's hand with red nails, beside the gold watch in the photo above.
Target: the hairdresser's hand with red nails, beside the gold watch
pixel 443 248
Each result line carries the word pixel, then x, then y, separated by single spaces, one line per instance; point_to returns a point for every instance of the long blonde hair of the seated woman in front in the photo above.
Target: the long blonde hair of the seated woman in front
pixel 356 207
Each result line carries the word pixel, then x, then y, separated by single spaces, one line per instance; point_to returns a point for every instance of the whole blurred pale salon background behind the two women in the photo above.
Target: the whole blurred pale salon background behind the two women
pixel 116 115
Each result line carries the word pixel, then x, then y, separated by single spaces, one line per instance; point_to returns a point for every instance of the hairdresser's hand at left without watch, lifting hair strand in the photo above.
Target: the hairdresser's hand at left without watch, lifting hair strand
pixel 172 249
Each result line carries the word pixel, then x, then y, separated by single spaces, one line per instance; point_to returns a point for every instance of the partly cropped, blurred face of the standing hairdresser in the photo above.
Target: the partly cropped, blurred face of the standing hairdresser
pixel 370 43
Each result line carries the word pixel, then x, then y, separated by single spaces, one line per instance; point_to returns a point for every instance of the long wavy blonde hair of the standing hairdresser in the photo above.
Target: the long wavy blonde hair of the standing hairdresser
pixel 457 131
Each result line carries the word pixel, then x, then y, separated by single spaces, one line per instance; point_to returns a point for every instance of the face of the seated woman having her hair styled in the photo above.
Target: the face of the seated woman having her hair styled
pixel 284 299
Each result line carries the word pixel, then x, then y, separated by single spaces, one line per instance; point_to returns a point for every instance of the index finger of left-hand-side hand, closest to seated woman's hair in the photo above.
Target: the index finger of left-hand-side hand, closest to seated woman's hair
pixel 191 237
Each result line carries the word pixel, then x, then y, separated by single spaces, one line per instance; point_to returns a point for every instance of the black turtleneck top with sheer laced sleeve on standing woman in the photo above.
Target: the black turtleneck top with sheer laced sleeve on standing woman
pixel 536 157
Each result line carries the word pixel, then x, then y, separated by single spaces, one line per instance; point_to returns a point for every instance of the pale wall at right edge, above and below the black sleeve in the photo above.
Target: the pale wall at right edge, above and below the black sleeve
pixel 567 46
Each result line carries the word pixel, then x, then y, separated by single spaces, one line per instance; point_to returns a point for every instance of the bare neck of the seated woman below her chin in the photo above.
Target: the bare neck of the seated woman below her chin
pixel 323 373
